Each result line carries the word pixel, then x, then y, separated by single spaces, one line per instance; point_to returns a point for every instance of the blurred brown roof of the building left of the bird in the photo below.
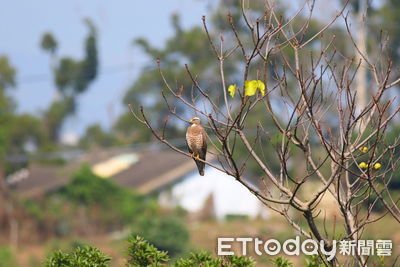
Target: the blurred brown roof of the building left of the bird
pixel 151 171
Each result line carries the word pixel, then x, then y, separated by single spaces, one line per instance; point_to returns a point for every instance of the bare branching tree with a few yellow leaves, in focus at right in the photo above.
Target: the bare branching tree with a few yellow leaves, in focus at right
pixel 311 101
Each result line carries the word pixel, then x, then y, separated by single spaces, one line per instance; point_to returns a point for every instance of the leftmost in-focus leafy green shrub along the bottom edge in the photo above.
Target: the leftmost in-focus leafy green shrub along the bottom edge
pixel 82 256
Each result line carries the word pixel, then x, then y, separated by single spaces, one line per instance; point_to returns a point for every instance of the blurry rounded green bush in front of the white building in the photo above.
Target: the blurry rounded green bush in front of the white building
pixel 165 232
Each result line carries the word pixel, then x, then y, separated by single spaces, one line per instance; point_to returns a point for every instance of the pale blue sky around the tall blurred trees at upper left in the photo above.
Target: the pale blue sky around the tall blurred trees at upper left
pixel 22 24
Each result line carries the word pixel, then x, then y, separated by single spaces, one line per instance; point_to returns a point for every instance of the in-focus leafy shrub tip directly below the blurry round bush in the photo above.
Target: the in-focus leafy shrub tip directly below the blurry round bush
pixel 141 253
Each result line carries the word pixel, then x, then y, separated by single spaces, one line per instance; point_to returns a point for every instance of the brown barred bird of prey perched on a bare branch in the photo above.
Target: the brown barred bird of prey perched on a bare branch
pixel 197 143
